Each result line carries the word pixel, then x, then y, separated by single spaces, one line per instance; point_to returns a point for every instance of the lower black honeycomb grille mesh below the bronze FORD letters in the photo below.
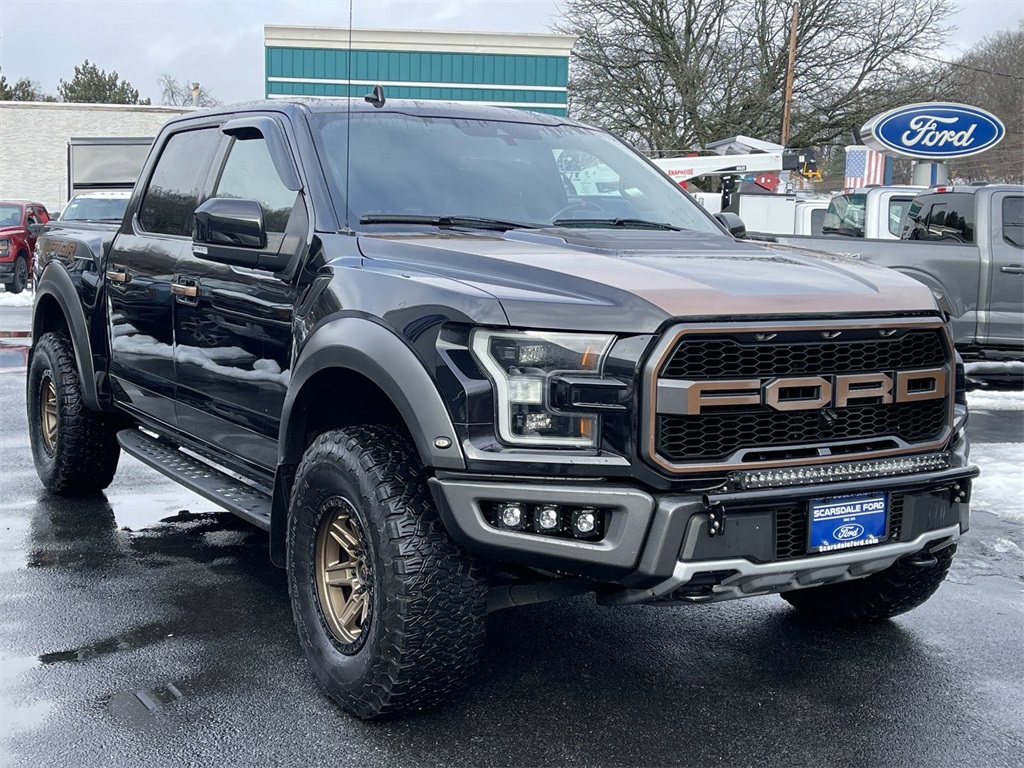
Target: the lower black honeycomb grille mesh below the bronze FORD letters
pixel 711 437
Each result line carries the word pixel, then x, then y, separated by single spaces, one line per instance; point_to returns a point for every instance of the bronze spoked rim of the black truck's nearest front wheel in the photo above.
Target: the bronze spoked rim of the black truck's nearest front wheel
pixel 343 570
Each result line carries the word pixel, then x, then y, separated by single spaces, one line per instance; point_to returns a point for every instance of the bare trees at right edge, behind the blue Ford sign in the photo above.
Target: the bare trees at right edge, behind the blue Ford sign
pixel 992 76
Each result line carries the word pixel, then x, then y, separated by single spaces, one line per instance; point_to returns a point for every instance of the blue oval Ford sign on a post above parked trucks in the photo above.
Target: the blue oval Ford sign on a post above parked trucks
pixel 934 132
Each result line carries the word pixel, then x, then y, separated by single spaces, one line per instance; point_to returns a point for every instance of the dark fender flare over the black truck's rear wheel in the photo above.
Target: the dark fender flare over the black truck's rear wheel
pixel 58 308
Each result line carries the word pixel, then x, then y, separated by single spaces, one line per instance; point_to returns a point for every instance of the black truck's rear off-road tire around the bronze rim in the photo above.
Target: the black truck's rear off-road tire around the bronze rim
pixel 87 453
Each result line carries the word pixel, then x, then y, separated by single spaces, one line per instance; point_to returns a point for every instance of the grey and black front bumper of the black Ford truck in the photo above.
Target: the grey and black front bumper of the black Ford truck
pixel 659 547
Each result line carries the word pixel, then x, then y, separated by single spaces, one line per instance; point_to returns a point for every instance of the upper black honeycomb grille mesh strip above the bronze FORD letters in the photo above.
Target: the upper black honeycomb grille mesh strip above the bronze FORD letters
pixel 703 358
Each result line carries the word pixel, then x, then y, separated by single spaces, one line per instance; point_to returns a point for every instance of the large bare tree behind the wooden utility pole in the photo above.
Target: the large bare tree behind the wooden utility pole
pixel 674 75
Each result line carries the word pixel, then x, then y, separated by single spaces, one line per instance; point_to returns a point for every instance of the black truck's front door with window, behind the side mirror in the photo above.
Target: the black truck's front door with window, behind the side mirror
pixel 234 328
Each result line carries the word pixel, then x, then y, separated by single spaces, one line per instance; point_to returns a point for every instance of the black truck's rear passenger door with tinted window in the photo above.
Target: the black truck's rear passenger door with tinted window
pixel 140 275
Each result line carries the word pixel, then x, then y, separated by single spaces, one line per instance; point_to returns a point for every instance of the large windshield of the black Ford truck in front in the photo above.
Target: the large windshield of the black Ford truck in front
pixel 513 173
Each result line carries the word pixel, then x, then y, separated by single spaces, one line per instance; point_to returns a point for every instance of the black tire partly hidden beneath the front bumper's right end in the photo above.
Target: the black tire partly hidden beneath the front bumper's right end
pixel 897 590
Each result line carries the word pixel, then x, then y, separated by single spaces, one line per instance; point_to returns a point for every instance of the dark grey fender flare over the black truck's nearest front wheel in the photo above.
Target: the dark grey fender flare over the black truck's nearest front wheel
pixel 373 351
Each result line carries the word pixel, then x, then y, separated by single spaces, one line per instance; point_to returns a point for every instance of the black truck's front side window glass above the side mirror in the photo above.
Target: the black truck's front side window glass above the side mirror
pixel 249 175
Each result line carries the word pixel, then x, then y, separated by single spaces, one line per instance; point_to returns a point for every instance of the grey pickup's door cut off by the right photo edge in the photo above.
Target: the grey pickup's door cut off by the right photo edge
pixel 1006 290
